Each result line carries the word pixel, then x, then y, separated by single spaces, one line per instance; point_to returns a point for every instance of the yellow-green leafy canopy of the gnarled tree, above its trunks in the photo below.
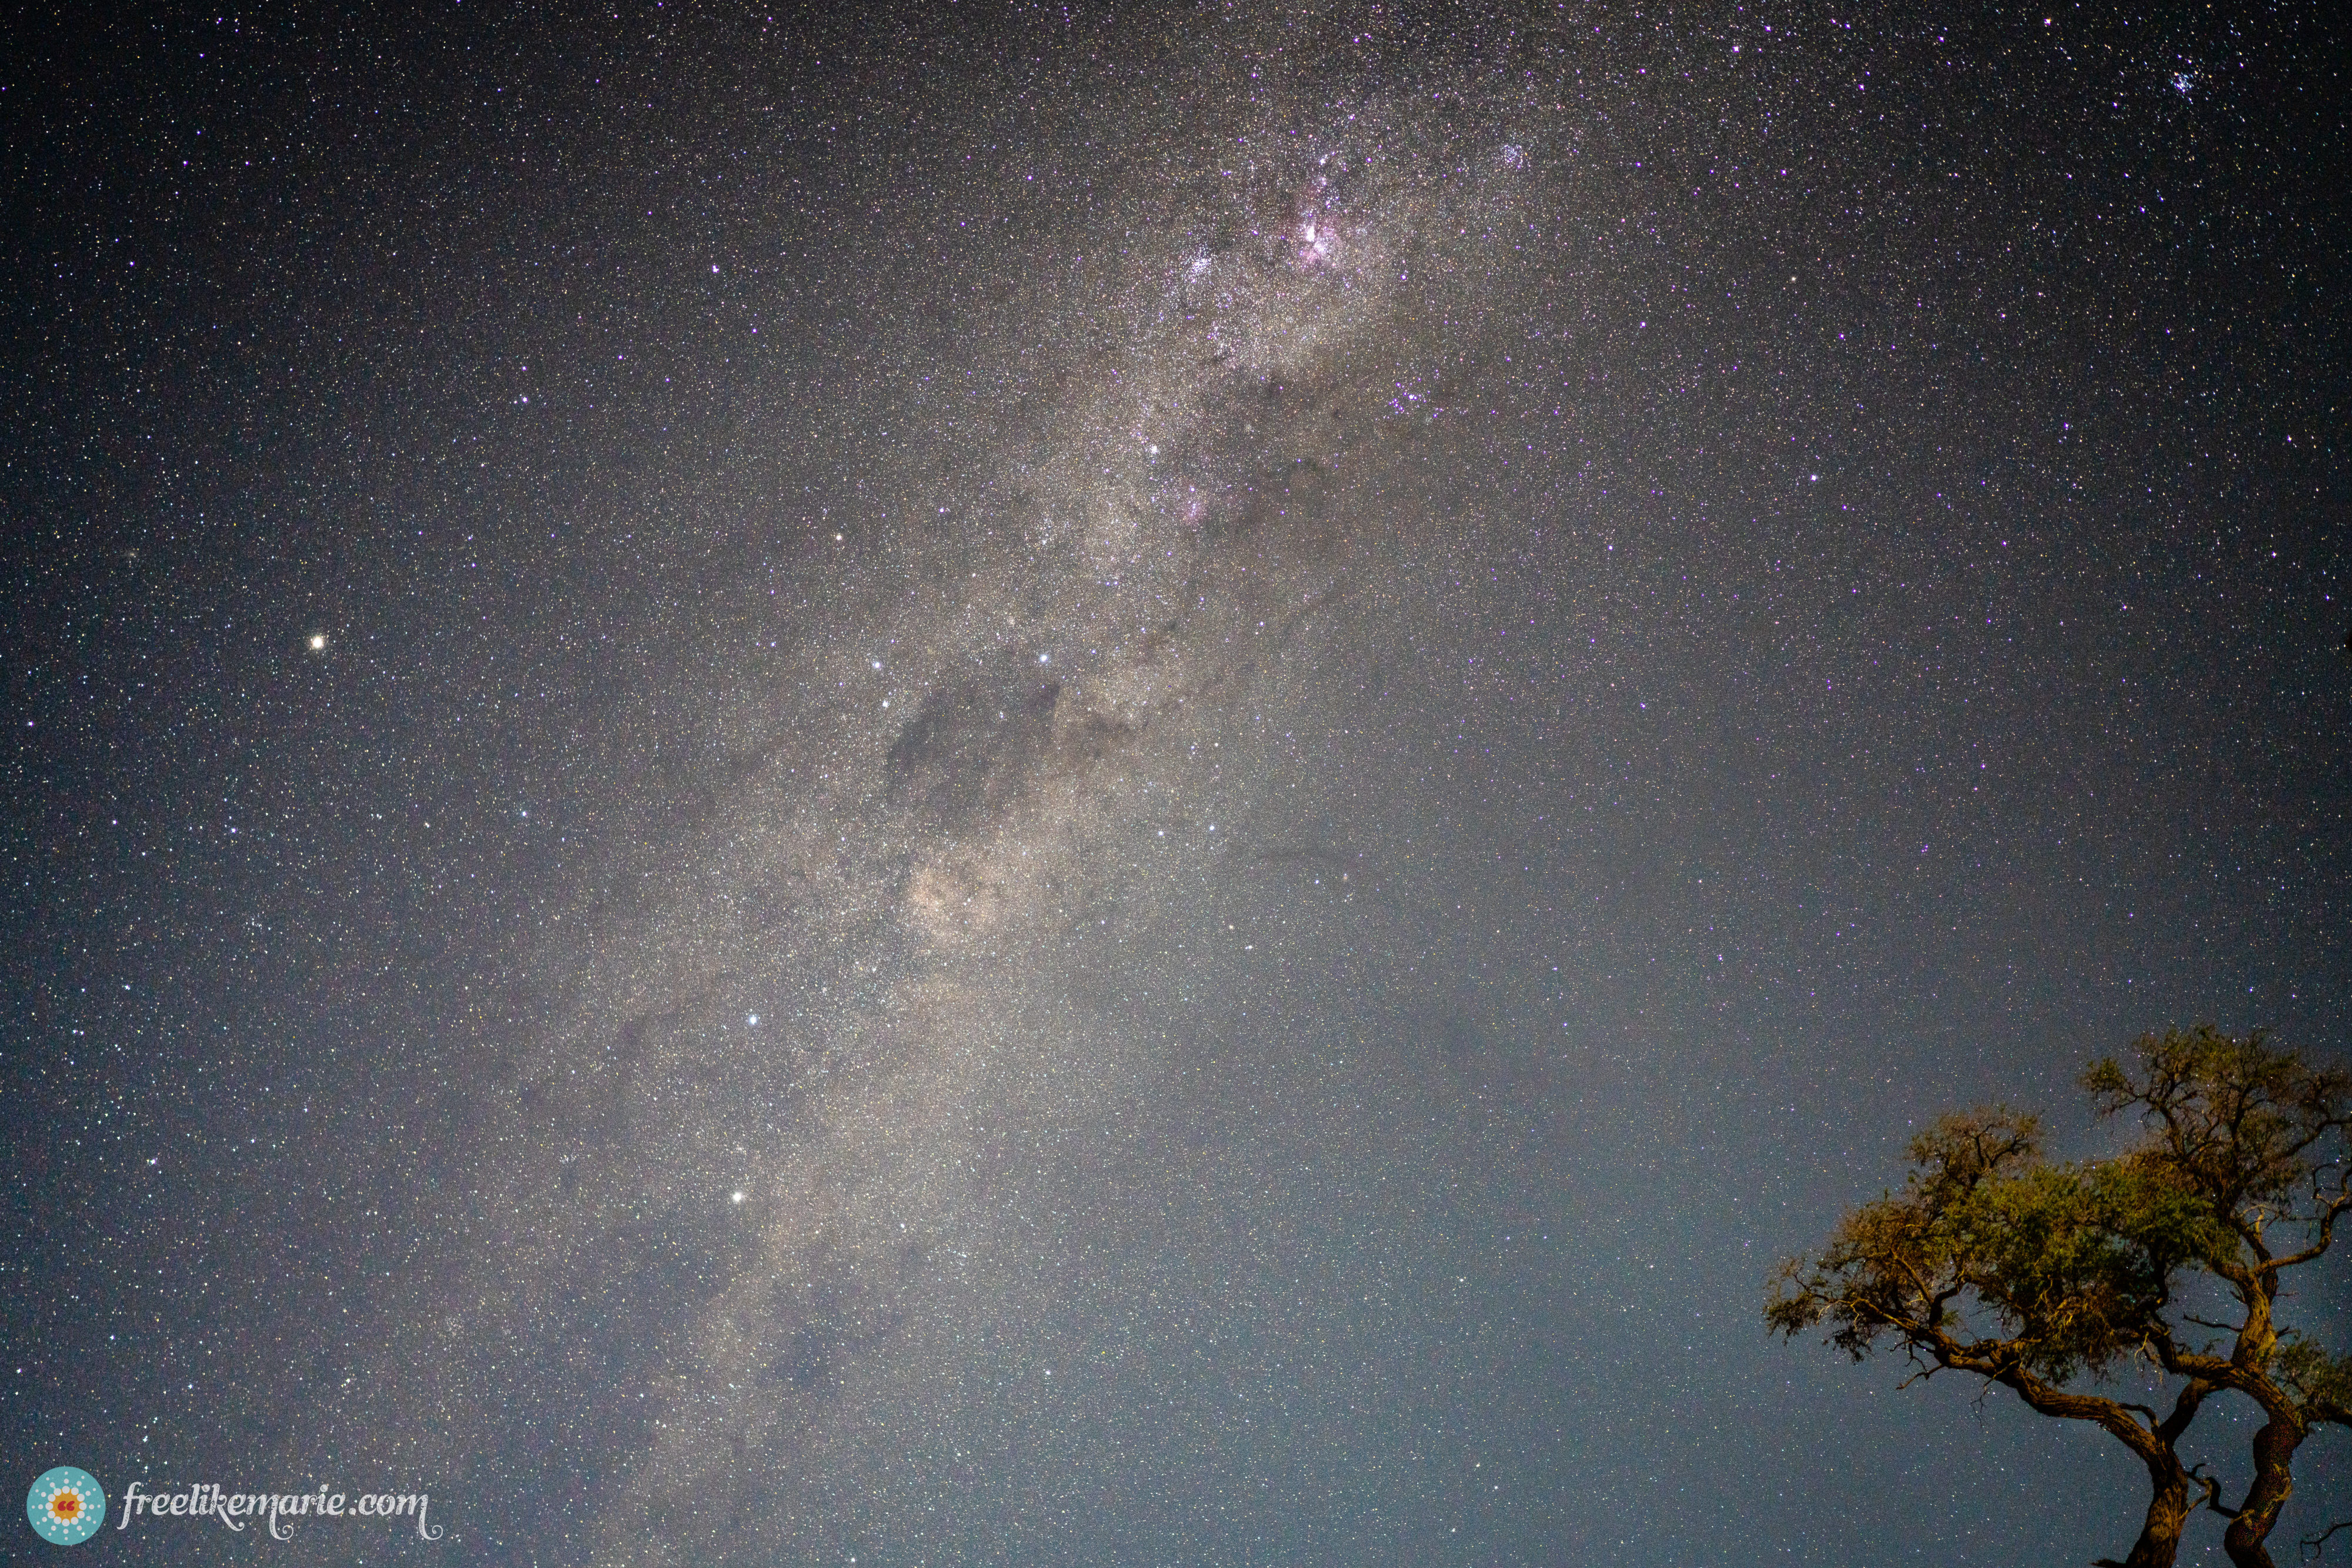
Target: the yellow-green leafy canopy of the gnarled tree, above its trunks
pixel 2073 1268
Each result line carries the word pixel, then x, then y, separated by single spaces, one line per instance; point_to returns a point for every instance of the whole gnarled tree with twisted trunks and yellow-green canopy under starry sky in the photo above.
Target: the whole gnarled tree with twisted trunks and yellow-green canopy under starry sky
pixel 2052 1280
